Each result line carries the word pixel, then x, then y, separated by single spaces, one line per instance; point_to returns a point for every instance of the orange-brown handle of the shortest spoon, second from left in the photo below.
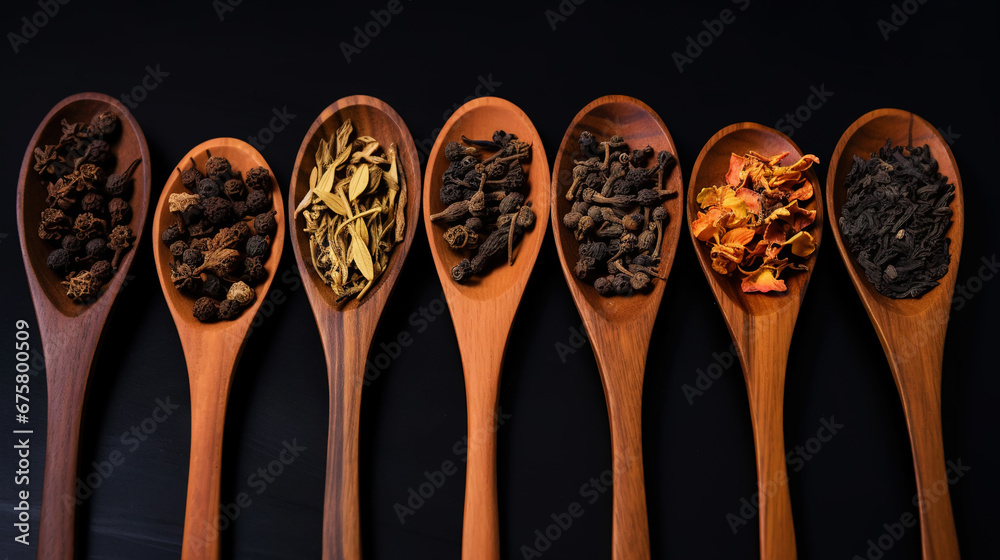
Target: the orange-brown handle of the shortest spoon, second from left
pixel 211 375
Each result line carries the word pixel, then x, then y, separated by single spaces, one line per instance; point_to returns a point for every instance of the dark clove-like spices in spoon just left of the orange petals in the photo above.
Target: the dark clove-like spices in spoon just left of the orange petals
pixel 617 214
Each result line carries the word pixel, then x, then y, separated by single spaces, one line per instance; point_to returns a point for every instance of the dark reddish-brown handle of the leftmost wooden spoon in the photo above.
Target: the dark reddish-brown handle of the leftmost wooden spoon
pixel 66 375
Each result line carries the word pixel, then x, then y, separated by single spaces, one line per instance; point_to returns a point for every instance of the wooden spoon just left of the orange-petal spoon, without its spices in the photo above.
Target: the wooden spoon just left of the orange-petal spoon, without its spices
pixel 618 327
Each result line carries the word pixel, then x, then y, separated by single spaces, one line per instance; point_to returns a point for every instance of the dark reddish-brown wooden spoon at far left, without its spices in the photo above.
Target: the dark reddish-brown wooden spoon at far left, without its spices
pixel 70 332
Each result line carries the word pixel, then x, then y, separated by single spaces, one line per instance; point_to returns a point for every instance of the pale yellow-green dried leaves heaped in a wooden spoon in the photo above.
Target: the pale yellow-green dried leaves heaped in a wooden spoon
pixel 354 211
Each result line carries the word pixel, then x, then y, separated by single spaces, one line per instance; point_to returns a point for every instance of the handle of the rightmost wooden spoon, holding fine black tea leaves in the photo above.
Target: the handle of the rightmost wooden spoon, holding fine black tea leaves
pixel 918 378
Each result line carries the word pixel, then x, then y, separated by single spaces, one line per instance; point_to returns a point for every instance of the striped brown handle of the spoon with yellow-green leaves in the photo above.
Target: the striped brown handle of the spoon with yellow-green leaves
pixel 345 363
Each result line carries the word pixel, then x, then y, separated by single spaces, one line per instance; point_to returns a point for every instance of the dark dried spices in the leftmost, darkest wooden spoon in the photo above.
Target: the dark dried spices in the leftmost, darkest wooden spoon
pixel 88 211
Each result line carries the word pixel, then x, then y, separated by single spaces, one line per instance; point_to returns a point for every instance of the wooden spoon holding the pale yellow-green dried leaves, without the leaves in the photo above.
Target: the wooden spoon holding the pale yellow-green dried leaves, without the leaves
pixel 347 329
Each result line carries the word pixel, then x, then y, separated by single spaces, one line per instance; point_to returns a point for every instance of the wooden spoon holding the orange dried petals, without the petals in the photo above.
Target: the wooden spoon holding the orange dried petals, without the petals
pixel 761 326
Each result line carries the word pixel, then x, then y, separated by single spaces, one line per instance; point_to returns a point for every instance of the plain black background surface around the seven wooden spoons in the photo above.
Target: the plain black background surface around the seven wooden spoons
pixel 227 75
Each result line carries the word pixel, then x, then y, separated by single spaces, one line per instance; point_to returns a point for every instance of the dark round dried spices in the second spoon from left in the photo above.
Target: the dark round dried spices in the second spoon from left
pixel 221 237
